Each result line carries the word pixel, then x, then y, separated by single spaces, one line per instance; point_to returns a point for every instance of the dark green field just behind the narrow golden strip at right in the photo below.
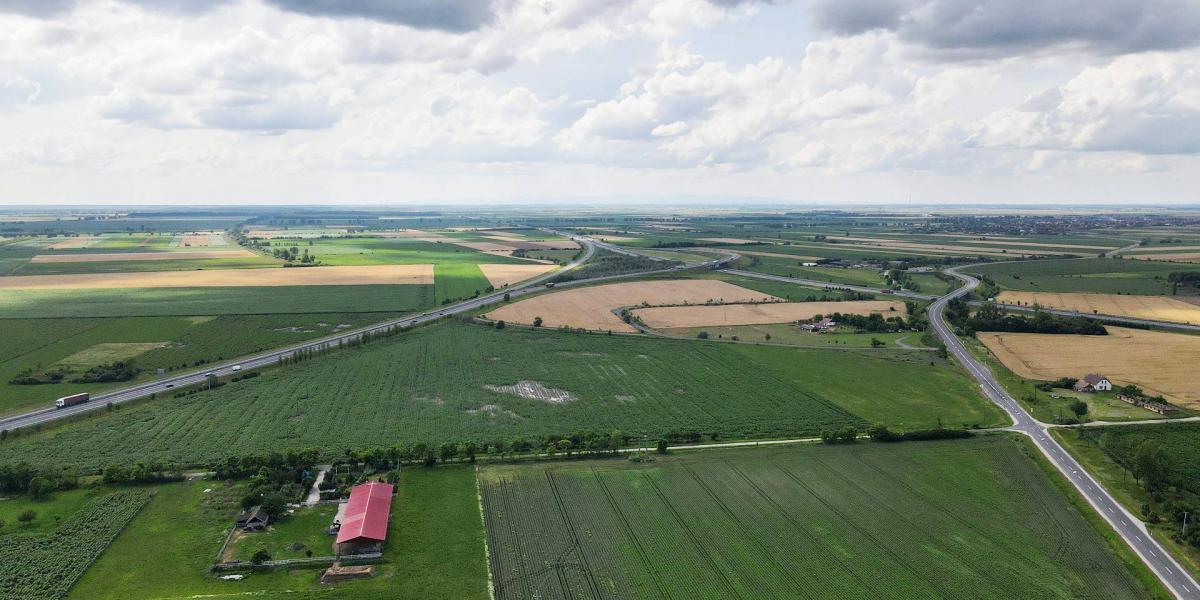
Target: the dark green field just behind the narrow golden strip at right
pixel 1094 275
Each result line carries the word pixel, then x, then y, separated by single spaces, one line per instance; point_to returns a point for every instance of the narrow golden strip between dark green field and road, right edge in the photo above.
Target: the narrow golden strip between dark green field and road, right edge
pixel 1143 308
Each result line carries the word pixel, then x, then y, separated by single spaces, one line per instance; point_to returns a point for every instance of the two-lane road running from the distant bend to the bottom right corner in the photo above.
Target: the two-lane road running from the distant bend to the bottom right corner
pixel 1132 530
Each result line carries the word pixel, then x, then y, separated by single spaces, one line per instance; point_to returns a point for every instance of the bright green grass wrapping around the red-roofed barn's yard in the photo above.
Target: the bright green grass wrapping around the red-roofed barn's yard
pixel 435 549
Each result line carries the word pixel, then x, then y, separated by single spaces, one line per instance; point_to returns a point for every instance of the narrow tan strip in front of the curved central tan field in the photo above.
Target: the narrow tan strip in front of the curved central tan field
pixel 668 317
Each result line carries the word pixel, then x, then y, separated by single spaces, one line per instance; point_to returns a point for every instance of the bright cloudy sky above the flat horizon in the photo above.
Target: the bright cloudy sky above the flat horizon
pixel 554 101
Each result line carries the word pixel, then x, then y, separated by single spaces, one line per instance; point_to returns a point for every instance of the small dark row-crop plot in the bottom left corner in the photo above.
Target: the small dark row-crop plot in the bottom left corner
pixel 45 567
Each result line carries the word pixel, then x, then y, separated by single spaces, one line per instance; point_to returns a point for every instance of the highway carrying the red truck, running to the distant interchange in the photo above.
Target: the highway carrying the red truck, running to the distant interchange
pixel 170 385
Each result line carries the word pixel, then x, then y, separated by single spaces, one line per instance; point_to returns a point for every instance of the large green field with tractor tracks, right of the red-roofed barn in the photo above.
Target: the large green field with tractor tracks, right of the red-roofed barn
pixel 964 519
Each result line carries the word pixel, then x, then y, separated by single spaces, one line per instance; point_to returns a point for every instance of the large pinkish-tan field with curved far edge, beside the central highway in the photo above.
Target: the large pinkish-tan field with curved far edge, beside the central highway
pixel 592 308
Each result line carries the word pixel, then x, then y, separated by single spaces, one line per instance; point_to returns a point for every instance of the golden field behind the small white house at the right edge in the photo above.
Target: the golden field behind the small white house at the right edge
pixel 1157 362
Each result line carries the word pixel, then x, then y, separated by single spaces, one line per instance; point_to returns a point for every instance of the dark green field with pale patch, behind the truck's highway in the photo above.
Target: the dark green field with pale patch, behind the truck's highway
pixel 44 345
